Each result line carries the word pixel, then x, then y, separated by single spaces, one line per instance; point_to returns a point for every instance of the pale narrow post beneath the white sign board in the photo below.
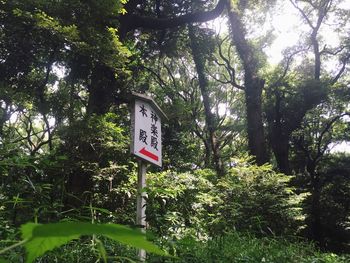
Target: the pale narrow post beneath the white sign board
pixel 141 203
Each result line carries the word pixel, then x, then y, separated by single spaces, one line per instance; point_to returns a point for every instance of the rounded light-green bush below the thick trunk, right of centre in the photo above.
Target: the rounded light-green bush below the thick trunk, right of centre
pixel 257 199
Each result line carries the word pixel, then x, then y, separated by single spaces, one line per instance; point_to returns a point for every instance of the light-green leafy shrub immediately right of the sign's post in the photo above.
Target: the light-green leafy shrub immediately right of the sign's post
pixel 173 200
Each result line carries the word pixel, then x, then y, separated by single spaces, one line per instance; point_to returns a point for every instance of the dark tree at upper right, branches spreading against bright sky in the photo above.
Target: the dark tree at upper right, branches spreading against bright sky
pixel 292 101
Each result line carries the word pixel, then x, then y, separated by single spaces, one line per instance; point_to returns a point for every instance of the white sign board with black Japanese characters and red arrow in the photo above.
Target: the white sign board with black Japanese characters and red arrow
pixel 147 133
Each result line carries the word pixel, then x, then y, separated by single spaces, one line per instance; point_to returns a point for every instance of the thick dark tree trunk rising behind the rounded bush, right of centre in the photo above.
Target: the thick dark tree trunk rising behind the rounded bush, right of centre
pixel 253 88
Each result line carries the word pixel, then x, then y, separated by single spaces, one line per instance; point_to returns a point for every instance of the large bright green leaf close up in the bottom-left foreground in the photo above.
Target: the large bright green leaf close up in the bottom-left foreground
pixel 42 238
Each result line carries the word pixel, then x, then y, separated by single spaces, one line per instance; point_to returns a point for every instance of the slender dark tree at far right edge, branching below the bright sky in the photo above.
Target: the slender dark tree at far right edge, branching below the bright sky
pixel 322 126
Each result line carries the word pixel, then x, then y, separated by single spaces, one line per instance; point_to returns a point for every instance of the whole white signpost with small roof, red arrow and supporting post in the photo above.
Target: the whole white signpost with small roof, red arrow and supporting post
pixel 146 144
